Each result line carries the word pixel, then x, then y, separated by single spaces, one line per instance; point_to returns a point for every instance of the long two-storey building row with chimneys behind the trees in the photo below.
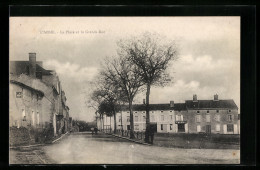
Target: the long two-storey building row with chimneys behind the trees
pixel 193 116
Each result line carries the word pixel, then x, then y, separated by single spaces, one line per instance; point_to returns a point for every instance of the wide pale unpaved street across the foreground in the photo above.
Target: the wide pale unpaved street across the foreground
pixel 83 148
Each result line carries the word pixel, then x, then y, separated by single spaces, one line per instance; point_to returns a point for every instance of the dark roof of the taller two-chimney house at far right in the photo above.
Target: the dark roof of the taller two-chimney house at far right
pixel 204 104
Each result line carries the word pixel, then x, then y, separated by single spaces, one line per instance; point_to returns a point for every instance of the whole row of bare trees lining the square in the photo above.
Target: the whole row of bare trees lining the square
pixel 141 62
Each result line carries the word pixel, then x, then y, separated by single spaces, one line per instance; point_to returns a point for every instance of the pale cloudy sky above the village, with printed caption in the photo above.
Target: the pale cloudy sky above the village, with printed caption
pixel 208 61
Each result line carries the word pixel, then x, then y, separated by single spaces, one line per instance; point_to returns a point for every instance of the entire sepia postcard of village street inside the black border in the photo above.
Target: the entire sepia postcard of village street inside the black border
pixel 124 90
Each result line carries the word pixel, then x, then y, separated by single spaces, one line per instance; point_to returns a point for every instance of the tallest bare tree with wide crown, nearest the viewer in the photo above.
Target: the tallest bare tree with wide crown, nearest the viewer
pixel 151 55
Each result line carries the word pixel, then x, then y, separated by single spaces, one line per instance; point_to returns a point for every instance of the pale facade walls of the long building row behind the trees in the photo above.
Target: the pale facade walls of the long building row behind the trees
pixel 167 121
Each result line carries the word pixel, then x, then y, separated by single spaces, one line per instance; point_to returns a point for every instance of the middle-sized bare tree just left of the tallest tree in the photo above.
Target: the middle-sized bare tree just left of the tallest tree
pixel 118 72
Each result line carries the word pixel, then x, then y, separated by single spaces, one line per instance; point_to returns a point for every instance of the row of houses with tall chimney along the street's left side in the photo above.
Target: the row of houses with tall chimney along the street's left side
pixel 36 97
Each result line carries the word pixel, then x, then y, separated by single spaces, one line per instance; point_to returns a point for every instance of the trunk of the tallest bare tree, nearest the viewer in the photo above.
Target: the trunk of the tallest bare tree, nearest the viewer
pixel 147 108
